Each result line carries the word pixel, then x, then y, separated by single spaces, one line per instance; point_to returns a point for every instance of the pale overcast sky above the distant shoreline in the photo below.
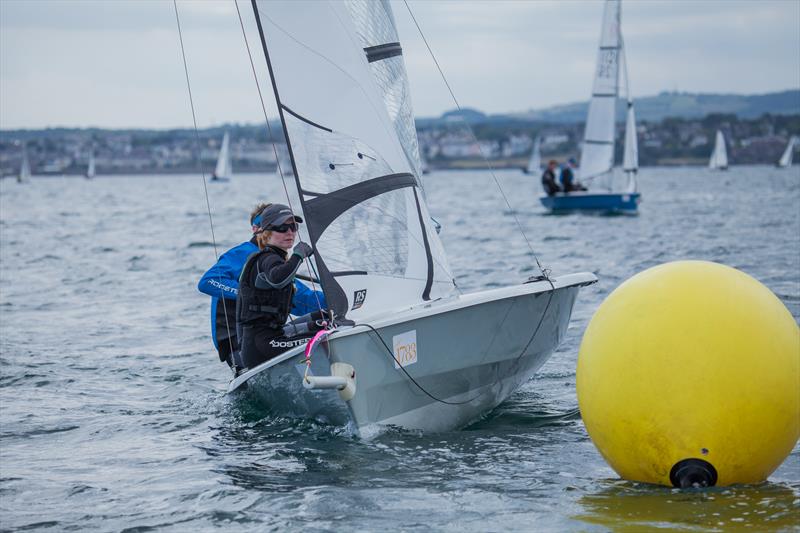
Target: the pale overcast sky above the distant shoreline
pixel 117 63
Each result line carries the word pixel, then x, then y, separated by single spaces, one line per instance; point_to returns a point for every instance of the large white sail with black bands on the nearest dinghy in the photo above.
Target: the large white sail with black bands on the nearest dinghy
pixel 359 191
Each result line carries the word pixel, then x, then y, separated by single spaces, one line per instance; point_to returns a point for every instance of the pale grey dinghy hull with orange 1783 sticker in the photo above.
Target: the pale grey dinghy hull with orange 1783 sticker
pixel 472 352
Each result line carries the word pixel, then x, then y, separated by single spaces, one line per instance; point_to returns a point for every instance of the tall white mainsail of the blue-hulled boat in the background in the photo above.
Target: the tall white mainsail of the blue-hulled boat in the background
pixel 597 154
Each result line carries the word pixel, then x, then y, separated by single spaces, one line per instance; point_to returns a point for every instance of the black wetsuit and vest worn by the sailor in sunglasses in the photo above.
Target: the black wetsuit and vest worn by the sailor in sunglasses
pixel 265 296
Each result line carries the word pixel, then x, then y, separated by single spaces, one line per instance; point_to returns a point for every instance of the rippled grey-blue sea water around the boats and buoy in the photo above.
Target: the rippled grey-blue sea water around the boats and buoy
pixel 112 408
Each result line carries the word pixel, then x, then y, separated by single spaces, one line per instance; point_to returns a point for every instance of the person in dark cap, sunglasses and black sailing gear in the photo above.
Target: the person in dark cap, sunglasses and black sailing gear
pixel 267 289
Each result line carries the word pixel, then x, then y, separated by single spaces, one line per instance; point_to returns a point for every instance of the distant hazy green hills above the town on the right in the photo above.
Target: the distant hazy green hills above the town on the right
pixel 650 108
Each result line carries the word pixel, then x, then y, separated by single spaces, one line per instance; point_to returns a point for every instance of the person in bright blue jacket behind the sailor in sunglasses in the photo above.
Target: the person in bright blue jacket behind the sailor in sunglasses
pixel 222 281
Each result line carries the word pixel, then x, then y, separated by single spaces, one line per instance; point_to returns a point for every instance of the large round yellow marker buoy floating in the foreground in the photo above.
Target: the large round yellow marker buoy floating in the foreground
pixel 689 375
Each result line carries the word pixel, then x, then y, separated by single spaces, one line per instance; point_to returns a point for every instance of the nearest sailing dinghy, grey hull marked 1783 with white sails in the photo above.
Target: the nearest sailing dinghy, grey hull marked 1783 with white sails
pixel 408 349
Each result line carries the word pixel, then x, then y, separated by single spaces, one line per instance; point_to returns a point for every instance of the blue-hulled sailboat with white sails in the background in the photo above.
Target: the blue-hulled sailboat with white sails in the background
pixel 597 153
